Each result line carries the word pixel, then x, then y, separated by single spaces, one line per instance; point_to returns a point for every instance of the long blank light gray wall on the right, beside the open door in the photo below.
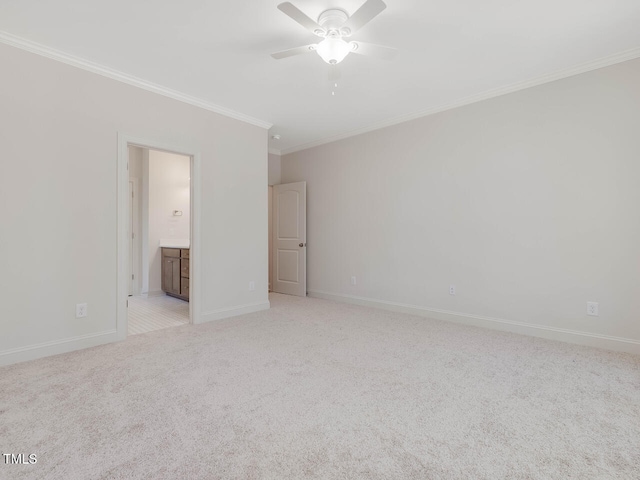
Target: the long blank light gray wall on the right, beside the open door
pixel 528 203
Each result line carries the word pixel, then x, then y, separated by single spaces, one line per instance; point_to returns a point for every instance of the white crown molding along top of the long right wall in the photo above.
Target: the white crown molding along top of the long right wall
pixel 514 87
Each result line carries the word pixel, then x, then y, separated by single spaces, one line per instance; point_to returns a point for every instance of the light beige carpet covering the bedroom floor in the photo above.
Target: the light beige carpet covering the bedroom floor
pixel 314 389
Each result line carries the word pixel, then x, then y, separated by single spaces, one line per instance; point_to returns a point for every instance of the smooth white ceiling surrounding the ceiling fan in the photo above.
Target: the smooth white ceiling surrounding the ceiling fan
pixel 219 52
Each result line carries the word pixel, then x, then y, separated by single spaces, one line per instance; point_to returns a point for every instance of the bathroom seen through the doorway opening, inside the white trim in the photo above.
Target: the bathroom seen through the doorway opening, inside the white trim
pixel 158 298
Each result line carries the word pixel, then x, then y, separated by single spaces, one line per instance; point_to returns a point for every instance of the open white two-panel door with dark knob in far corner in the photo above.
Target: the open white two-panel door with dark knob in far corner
pixel 290 238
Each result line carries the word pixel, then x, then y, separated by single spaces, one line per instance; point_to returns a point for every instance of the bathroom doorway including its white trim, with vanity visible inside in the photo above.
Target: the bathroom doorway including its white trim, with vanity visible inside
pixel 157 223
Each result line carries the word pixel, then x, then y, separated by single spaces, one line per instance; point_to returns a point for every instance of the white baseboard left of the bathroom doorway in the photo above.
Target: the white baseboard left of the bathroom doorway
pixel 46 349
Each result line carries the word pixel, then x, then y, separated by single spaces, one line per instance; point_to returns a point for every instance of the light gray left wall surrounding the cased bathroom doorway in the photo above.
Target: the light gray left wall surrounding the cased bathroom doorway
pixel 58 147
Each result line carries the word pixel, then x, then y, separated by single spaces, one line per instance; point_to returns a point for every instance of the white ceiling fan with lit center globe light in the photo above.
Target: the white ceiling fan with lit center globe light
pixel 333 26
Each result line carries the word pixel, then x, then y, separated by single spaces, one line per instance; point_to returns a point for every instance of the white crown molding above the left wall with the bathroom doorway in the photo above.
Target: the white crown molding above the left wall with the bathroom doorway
pixel 39 49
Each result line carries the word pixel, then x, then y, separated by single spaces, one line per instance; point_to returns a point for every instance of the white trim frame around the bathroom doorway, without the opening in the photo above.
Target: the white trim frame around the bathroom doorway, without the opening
pixel 122 247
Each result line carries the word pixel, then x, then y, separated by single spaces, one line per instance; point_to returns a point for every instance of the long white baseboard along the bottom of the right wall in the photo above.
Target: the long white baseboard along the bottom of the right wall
pixel 564 335
